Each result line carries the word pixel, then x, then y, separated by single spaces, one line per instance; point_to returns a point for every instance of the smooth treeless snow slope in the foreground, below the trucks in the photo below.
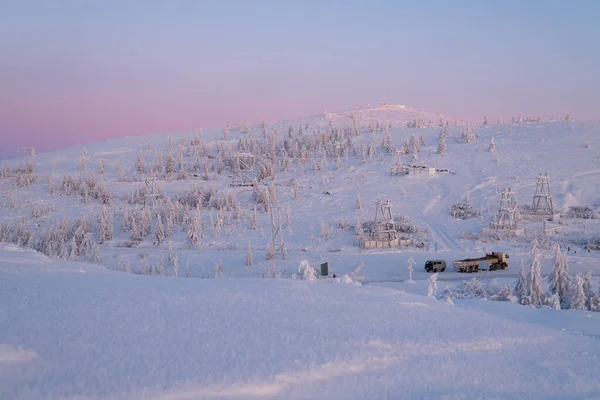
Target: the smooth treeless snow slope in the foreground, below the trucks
pixel 70 330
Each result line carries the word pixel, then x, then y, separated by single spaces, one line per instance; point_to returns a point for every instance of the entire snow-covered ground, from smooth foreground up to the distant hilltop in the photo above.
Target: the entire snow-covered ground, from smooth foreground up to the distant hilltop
pixel 76 330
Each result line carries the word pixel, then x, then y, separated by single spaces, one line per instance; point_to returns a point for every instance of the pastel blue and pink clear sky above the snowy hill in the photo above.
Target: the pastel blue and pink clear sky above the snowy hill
pixel 73 72
